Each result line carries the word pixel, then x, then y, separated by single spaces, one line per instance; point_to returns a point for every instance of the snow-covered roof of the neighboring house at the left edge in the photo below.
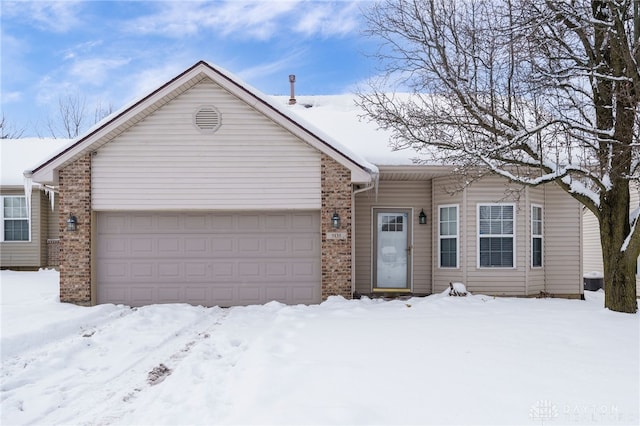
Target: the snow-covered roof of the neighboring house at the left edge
pixel 18 155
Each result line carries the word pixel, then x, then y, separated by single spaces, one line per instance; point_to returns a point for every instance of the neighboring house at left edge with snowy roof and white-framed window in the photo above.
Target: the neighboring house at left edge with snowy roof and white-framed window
pixel 28 228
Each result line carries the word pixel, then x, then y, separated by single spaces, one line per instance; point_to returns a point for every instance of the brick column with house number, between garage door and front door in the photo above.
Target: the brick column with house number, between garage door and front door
pixel 336 253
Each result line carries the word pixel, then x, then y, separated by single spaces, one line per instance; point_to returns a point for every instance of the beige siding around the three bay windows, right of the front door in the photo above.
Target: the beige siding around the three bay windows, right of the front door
pixel 561 238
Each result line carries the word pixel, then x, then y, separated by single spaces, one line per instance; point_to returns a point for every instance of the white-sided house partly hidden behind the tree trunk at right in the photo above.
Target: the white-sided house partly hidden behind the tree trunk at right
pixel 591 247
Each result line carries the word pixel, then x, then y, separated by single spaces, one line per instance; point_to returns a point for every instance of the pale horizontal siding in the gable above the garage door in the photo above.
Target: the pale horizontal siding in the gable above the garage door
pixel 166 163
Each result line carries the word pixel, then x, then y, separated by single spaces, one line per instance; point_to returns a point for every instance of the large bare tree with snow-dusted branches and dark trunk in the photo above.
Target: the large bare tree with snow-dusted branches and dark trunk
pixel 535 91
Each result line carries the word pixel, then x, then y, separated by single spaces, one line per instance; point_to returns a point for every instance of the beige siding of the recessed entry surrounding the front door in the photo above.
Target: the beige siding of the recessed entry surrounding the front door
pixel 415 195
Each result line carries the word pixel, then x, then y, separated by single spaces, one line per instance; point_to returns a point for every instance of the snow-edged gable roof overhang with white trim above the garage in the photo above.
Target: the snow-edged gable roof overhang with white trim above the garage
pixel 362 171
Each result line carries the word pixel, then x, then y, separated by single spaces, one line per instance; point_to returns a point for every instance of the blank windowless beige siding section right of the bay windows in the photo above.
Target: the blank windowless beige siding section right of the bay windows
pixel 563 257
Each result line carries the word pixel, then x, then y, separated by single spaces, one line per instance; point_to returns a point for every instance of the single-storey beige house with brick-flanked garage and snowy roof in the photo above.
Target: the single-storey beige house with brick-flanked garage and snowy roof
pixel 208 192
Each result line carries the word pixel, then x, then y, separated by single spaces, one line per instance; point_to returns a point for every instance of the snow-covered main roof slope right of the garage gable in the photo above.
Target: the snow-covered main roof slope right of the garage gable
pixel 340 119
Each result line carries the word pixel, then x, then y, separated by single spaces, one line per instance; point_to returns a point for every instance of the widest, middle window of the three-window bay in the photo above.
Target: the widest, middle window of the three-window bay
pixel 496 236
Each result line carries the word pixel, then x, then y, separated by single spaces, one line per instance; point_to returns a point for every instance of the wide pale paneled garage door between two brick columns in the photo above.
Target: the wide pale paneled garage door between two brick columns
pixel 209 259
